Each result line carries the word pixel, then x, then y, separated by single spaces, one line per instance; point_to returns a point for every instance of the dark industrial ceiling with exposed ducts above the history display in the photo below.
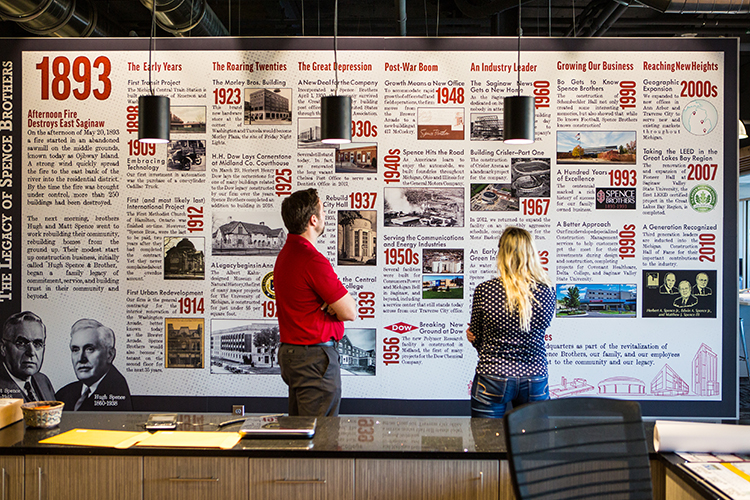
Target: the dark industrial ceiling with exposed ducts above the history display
pixel 448 18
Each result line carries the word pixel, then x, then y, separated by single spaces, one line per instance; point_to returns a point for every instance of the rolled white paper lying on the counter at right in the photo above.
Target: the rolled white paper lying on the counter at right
pixel 700 437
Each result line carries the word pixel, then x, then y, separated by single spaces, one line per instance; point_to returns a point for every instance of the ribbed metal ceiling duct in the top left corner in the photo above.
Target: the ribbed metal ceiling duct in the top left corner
pixel 62 18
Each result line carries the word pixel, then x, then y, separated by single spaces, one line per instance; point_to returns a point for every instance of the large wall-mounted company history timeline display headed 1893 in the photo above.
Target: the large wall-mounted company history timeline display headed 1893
pixel 629 190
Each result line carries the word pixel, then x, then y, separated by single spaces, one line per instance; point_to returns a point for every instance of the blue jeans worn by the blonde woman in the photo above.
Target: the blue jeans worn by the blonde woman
pixel 490 395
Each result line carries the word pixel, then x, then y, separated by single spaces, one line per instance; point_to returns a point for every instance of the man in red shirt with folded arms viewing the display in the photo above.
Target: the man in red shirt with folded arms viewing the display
pixel 312 306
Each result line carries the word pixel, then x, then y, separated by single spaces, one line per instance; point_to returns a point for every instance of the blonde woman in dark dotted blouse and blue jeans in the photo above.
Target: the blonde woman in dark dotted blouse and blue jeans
pixel 509 316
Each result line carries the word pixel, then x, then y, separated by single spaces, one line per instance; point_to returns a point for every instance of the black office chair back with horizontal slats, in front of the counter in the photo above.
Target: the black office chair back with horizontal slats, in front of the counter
pixel 578 448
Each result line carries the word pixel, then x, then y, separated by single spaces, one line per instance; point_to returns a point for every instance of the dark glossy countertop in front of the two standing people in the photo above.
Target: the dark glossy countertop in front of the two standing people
pixel 489 443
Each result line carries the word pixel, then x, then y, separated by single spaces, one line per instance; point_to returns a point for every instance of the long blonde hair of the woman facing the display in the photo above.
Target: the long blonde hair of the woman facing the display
pixel 520 271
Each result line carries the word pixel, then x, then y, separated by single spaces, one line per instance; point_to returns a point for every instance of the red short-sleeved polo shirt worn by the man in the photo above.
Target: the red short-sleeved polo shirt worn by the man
pixel 303 280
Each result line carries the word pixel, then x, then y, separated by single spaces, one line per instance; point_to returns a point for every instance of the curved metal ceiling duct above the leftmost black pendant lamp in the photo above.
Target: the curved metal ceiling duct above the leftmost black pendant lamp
pixel 187 18
